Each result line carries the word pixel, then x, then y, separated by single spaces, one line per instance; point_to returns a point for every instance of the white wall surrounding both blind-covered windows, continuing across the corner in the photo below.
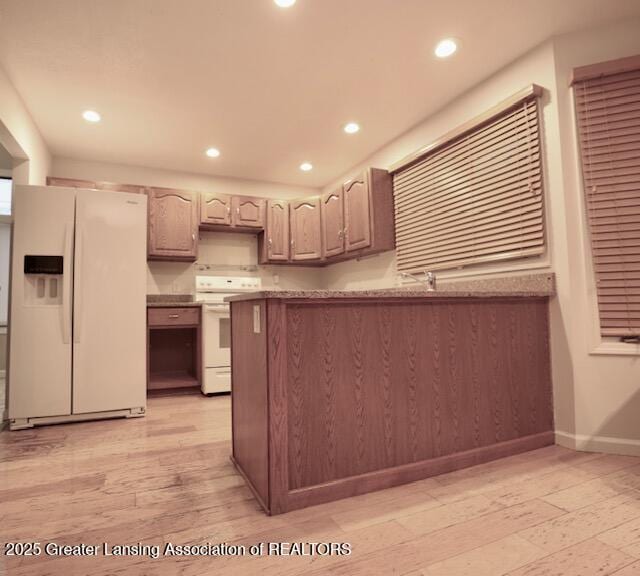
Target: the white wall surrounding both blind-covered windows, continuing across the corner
pixel 596 395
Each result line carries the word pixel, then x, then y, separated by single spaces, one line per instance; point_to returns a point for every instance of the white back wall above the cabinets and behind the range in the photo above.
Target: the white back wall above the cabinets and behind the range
pixel 217 249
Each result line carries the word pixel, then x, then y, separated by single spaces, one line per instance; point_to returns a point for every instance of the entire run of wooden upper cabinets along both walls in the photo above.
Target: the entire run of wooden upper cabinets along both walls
pixel 356 220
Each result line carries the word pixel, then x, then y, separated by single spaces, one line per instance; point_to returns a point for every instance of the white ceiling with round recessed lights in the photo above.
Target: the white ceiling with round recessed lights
pixel 270 87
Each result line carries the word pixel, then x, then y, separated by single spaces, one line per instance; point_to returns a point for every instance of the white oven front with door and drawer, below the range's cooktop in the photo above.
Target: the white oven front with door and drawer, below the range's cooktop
pixel 217 349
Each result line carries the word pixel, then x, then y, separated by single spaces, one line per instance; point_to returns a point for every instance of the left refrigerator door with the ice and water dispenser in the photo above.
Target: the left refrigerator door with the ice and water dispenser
pixel 40 314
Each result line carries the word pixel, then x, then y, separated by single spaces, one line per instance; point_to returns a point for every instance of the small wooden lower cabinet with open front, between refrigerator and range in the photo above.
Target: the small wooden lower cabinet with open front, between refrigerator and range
pixel 174 347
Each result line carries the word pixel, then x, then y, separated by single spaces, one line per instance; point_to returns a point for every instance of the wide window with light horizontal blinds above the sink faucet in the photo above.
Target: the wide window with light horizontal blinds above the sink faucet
pixel 476 195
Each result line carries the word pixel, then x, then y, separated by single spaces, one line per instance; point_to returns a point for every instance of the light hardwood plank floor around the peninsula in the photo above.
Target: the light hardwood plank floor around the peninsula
pixel 168 478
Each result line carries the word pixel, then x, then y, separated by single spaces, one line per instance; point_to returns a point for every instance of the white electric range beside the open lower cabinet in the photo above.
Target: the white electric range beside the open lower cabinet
pixel 216 329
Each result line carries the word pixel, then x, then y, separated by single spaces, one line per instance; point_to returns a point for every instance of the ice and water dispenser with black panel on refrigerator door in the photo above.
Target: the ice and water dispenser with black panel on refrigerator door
pixel 43 280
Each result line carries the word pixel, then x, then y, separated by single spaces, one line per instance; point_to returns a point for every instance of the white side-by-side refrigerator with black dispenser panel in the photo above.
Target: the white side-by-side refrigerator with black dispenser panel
pixel 77 324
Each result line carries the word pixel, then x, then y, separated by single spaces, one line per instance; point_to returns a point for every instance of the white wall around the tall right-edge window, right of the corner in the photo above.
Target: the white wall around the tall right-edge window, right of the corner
pixel 606 374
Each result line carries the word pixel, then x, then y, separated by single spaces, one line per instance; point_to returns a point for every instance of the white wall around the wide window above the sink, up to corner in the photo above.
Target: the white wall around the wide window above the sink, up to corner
pixel 536 67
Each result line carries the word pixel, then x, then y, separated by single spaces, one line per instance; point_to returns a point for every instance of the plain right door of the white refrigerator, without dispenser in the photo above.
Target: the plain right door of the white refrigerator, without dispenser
pixel 109 327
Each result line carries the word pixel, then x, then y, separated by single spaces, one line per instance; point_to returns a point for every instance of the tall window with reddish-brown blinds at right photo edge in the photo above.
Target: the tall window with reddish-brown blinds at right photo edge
pixel 607 98
